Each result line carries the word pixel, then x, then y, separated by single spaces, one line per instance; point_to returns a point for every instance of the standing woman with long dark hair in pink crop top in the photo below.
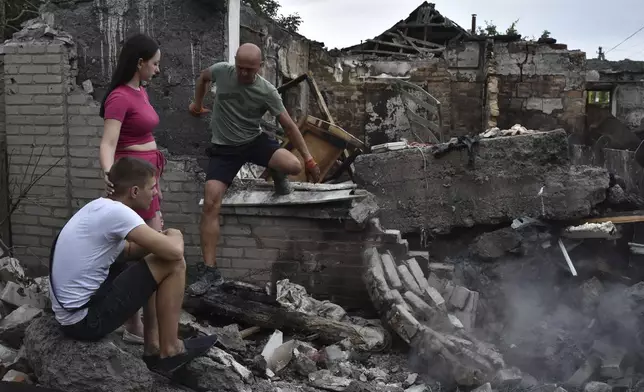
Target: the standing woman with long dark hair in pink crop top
pixel 129 123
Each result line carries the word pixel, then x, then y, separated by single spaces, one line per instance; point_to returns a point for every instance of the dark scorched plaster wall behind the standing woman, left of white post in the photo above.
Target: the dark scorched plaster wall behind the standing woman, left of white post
pixel 191 34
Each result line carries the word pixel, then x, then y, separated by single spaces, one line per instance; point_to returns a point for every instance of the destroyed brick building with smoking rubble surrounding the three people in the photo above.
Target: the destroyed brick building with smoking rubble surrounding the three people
pixel 467 244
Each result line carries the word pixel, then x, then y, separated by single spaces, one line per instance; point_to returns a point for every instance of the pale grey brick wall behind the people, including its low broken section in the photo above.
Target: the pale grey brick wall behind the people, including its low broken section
pixel 47 111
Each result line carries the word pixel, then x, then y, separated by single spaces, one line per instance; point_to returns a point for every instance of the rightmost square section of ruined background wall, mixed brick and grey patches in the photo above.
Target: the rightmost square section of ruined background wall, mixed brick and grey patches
pixel 541 86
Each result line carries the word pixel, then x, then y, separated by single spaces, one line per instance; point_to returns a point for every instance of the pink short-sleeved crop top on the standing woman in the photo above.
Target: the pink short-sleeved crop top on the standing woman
pixel 138 118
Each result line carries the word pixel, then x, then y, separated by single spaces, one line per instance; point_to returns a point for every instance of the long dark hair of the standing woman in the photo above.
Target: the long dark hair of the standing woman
pixel 137 47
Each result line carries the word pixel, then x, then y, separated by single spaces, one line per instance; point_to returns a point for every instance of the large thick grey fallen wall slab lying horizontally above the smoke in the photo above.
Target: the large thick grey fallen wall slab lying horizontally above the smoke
pixel 503 186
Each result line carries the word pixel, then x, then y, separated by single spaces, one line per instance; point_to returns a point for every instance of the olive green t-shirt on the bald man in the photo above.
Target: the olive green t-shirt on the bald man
pixel 238 108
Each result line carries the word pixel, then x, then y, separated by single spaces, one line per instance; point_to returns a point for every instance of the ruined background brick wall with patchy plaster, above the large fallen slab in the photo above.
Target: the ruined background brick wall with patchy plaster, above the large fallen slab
pixel 540 86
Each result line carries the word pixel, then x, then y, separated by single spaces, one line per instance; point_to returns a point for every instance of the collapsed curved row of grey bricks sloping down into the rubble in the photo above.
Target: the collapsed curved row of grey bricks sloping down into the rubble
pixel 434 316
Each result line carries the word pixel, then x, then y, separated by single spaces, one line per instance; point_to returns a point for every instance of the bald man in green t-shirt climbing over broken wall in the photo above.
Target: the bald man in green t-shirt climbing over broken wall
pixel 241 100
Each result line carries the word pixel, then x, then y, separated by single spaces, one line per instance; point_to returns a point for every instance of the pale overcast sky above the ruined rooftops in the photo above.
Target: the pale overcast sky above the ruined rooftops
pixel 581 24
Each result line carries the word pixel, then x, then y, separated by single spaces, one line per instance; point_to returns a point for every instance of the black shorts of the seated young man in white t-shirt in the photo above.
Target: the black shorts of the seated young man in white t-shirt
pixel 127 288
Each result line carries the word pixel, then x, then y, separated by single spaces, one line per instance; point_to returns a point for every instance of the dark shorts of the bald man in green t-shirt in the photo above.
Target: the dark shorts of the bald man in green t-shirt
pixel 225 161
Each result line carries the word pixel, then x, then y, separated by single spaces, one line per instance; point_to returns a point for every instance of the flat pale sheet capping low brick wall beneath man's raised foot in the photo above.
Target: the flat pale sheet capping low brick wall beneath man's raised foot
pixel 268 197
